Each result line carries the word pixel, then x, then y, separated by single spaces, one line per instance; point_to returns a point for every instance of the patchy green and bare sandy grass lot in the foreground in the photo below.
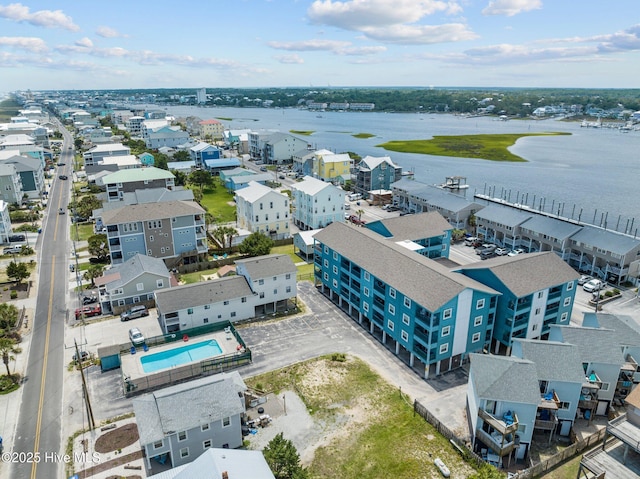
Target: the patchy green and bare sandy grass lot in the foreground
pixel 387 441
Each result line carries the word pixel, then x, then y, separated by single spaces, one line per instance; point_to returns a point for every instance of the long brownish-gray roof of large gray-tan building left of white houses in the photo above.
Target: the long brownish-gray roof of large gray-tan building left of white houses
pixel 151 211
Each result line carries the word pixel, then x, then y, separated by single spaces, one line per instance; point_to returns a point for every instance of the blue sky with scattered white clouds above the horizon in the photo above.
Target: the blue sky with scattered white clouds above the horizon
pixel 278 43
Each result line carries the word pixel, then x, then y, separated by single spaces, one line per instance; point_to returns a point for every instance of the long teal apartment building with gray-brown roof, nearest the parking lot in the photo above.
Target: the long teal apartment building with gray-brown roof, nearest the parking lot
pixel 429 317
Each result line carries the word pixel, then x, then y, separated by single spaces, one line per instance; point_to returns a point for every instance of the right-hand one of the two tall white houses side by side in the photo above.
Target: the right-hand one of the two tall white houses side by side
pixel 317 203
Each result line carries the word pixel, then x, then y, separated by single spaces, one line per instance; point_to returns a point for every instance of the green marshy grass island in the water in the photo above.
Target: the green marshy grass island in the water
pixel 485 147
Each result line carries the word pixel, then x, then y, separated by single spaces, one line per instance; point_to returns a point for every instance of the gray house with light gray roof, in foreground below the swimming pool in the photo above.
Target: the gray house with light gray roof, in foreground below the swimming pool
pixel 177 424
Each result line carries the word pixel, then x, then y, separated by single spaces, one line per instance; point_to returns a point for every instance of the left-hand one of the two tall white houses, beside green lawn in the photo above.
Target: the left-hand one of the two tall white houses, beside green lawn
pixel 262 209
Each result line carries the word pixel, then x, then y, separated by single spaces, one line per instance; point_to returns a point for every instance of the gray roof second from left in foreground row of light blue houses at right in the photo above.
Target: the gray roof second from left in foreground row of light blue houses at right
pixel 554 361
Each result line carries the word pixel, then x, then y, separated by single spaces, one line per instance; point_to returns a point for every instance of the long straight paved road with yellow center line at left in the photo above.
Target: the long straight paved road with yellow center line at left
pixel 39 423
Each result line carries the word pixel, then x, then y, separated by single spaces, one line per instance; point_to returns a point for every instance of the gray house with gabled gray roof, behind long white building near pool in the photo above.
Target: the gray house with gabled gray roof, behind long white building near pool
pixel 132 282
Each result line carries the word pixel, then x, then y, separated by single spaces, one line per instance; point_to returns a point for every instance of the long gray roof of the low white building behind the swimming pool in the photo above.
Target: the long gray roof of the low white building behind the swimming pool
pixel 199 294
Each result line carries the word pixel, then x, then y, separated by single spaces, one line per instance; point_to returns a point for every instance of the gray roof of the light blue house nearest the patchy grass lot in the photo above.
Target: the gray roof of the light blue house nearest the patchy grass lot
pixel 504 378
